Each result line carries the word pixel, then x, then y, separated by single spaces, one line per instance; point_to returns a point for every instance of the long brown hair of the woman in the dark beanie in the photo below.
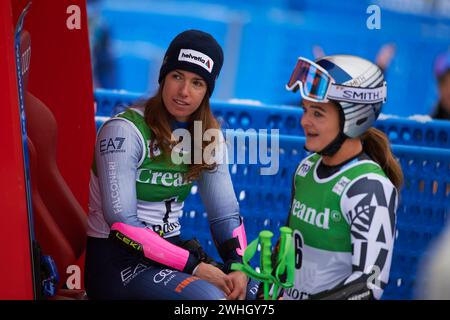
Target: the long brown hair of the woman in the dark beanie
pixel 159 121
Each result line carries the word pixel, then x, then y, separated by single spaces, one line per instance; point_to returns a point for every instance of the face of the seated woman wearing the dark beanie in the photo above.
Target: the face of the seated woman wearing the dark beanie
pixel 183 93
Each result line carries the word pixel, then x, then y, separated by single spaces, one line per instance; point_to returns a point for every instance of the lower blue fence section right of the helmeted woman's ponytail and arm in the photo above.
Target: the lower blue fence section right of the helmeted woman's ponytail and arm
pixel 423 211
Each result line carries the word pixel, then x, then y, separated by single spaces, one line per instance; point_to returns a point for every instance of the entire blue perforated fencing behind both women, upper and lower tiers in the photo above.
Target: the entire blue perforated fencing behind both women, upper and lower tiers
pixel 264 200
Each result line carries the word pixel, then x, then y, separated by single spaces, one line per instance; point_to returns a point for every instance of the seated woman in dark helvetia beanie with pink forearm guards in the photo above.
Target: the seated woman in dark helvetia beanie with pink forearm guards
pixel 137 190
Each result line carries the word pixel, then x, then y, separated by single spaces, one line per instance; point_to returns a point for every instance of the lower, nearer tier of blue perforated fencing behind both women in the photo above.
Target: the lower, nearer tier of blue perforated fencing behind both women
pixel 264 202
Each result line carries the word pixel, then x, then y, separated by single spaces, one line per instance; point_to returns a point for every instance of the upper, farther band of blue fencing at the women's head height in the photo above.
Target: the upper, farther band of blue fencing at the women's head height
pixel 247 115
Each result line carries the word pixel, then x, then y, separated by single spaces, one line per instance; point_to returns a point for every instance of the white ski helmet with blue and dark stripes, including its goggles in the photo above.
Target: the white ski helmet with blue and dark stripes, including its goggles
pixel 355 84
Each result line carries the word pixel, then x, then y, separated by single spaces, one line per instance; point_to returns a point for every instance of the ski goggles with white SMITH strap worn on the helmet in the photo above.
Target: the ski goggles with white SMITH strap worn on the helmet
pixel 317 85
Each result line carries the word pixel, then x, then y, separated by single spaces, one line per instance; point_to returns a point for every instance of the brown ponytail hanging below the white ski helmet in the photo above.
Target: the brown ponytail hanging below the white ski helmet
pixel 376 145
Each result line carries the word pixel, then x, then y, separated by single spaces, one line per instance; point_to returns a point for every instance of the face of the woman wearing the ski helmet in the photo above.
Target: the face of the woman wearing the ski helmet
pixel 320 122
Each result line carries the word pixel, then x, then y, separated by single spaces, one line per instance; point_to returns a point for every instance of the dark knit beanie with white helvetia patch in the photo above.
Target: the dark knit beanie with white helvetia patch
pixel 195 51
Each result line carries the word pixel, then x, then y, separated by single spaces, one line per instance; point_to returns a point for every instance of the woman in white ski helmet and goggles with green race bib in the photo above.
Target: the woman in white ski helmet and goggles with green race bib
pixel 345 194
